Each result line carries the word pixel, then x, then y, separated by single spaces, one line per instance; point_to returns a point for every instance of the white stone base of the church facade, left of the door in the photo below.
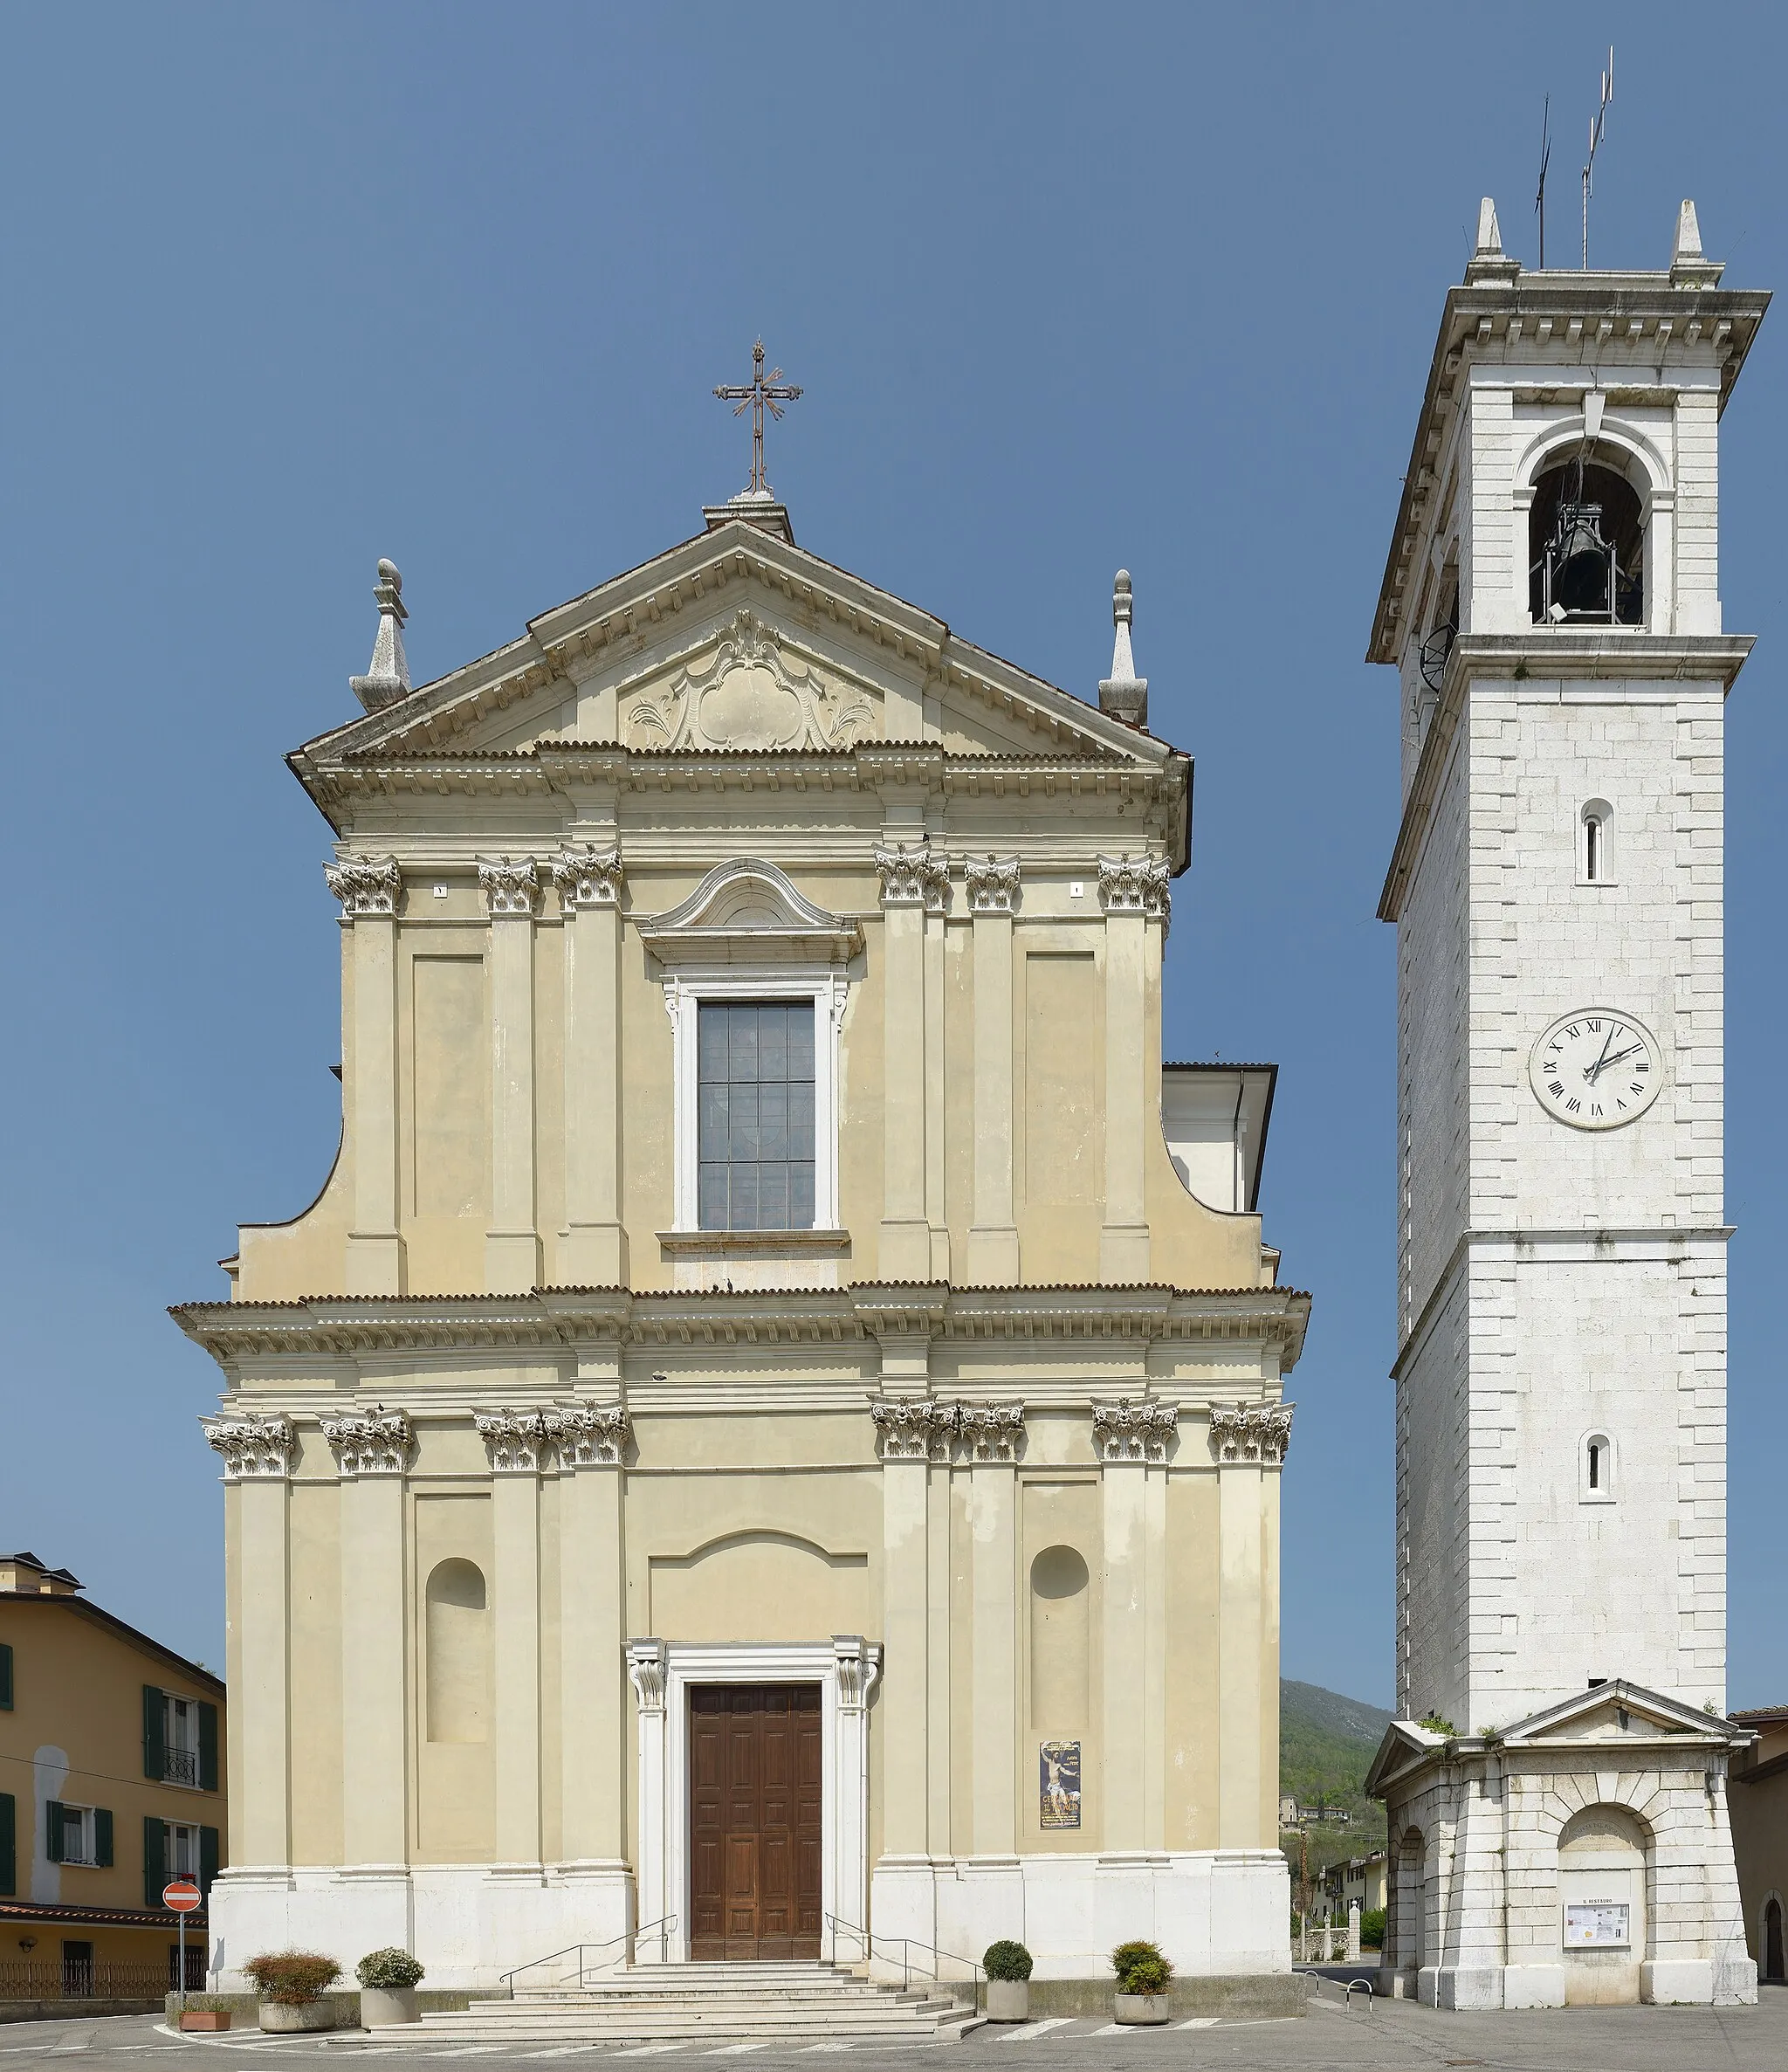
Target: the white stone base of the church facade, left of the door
pixel 467 1922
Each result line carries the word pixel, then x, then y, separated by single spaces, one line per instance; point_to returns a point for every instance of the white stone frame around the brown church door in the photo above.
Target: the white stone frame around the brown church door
pixel 844 1667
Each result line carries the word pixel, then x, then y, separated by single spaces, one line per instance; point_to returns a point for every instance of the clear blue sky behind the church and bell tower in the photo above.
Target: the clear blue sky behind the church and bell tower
pixel 289 289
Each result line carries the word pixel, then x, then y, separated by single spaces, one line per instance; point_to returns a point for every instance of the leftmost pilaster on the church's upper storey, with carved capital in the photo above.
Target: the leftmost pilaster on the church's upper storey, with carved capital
pixel 368 888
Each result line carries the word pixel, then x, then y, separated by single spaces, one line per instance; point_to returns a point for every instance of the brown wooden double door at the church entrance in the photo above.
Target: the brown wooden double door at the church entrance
pixel 755 1822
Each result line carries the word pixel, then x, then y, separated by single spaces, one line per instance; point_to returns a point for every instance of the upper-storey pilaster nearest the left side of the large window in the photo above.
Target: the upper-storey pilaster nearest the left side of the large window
pixel 596 1246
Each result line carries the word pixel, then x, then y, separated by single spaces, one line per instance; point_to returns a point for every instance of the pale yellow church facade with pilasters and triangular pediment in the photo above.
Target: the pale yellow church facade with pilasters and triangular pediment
pixel 770 1437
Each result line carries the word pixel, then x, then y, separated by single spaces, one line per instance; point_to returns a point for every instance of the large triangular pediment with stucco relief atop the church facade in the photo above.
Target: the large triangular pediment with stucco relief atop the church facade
pixel 739 641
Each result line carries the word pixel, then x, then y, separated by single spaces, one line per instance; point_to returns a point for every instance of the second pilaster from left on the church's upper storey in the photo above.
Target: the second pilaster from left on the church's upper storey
pixel 513 1246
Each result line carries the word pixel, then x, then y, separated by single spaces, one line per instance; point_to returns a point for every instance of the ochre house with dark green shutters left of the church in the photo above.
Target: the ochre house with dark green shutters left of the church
pixel 113 1781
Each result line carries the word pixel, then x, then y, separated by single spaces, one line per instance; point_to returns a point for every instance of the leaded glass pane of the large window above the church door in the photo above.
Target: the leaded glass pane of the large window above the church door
pixel 755 1083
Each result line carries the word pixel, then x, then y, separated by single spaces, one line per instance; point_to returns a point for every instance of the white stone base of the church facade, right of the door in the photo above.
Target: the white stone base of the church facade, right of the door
pixel 1215 1913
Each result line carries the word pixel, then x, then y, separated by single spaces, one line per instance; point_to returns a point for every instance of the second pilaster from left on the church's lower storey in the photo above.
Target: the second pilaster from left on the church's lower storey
pixel 372 1460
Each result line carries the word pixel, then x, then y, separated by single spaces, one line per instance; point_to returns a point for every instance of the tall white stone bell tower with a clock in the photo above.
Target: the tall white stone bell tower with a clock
pixel 1553 610
